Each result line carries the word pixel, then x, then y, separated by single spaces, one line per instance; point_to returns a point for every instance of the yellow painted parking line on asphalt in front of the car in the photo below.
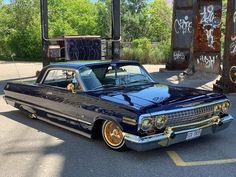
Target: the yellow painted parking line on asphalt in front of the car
pixel 180 162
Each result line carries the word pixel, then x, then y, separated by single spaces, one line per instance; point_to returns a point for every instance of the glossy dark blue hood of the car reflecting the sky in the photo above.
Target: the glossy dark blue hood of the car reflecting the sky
pixel 155 96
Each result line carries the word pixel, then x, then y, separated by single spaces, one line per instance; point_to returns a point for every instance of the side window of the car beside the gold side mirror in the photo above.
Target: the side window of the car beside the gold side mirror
pixel 60 78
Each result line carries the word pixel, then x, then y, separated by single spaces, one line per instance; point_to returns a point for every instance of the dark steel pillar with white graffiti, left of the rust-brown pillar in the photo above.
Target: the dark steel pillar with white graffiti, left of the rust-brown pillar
pixel 182 33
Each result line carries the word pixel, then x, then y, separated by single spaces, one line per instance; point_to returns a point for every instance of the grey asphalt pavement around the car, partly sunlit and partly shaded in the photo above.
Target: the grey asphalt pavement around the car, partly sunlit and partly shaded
pixel 32 148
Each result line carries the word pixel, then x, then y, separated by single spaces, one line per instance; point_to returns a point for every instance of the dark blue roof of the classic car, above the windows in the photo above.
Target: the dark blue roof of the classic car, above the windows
pixel 78 64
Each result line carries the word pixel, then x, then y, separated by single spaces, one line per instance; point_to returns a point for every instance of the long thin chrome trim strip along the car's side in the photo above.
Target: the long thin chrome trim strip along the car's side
pixel 49 111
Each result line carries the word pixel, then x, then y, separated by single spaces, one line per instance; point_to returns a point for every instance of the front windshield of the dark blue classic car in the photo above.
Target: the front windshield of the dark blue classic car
pixel 113 75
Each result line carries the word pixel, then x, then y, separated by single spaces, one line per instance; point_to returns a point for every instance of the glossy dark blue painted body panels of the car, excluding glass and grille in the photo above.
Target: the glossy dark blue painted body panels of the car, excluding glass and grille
pixel 82 109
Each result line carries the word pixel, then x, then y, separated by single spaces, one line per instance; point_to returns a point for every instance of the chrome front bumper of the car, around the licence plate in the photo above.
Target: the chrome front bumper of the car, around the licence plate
pixel 175 135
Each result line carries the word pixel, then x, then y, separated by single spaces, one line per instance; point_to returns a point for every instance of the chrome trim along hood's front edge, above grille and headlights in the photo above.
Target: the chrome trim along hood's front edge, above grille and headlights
pixel 177 110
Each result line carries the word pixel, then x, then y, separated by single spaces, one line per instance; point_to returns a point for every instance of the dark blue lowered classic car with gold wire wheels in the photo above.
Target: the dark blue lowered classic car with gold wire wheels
pixel 121 102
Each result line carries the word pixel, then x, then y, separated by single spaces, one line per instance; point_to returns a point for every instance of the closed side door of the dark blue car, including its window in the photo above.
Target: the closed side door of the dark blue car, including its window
pixel 64 105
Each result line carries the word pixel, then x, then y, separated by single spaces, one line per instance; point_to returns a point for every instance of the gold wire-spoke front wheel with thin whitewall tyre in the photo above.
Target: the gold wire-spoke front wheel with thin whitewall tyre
pixel 113 135
